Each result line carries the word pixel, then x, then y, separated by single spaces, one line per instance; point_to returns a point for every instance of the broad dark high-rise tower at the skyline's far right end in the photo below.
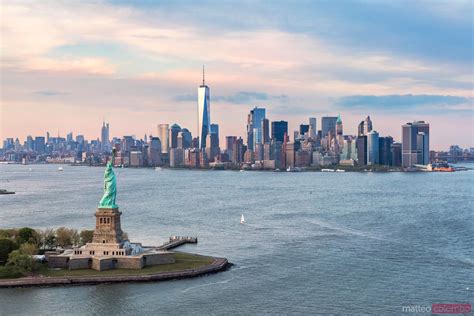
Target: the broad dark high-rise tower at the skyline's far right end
pixel 415 143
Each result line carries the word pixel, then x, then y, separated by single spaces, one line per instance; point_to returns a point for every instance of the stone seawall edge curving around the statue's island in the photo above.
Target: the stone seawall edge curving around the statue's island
pixel 218 265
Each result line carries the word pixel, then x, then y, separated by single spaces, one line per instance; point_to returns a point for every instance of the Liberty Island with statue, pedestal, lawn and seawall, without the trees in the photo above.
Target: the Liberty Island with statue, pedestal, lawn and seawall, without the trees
pixel 110 250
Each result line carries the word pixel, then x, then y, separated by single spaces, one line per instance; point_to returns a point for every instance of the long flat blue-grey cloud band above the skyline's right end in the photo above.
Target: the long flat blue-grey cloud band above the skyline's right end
pixel 405 102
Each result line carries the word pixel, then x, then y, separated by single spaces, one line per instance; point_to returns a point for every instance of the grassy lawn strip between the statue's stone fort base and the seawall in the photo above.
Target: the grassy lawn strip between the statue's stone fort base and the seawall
pixel 183 261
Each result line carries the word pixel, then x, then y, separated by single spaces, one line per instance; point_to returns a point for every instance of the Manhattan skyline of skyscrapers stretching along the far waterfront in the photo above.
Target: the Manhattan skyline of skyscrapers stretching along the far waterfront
pixel 267 145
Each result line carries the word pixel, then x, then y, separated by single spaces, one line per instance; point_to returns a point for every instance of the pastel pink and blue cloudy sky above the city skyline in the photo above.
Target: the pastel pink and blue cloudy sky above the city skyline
pixel 68 65
